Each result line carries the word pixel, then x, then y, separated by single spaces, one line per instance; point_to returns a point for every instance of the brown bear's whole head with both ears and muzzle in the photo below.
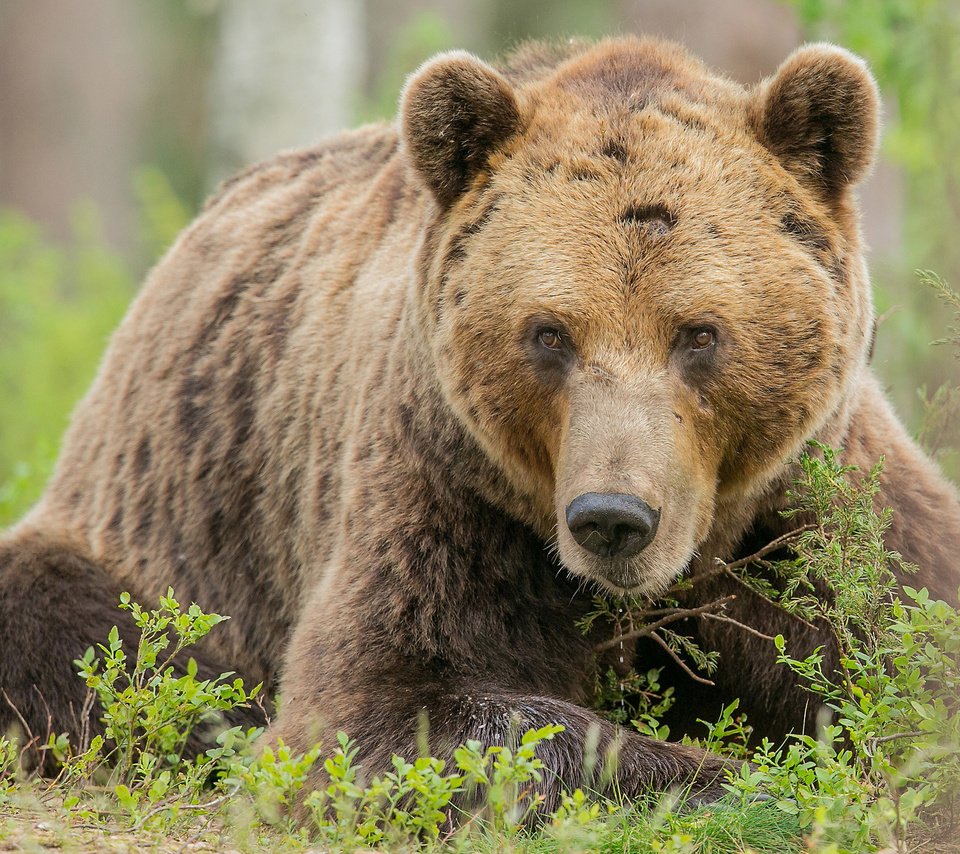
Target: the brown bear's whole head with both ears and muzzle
pixel 642 284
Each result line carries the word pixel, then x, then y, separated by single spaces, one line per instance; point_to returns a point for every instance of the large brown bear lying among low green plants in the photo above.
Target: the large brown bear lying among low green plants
pixel 402 402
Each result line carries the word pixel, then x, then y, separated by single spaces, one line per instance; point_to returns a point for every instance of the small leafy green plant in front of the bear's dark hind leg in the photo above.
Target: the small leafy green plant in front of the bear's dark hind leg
pixel 152 705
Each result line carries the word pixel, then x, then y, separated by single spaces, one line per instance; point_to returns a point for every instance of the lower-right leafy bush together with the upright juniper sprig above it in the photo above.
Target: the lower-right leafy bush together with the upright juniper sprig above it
pixel 892 757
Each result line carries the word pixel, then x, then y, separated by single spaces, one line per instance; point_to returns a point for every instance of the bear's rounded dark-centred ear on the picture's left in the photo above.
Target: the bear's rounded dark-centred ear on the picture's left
pixel 455 111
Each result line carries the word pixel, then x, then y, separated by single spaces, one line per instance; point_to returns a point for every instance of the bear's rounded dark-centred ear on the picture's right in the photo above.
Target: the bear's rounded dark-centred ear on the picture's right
pixel 819 114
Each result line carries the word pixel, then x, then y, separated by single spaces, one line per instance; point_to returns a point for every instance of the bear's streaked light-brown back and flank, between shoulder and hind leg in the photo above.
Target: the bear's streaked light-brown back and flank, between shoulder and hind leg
pixel 211 432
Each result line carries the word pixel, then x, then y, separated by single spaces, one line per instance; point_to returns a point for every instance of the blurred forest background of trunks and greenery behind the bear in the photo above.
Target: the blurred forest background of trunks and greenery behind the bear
pixel 117 117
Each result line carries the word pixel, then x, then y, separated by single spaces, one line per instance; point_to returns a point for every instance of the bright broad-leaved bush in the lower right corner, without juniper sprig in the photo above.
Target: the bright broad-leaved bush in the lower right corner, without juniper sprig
pixel 888 767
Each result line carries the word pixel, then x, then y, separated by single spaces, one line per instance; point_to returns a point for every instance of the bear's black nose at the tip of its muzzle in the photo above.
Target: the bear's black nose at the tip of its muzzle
pixel 612 525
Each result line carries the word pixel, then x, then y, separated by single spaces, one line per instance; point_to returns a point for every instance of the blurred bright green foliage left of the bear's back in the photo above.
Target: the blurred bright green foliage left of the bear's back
pixel 58 306
